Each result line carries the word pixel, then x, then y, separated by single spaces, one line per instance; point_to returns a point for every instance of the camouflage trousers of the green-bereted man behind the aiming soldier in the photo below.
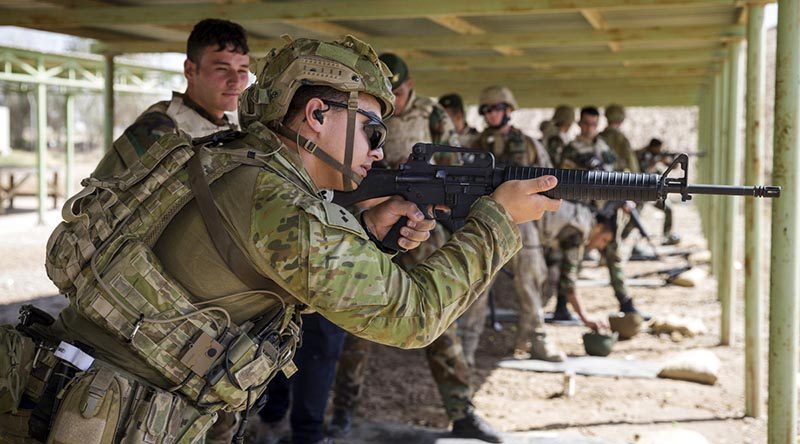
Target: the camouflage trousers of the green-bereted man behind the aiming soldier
pixel 445 355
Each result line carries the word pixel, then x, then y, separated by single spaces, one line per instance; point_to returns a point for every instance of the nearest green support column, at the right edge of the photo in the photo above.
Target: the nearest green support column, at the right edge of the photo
pixel 784 277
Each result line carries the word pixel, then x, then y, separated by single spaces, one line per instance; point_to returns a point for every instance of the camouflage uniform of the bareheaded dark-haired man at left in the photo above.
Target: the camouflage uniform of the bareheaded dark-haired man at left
pixel 169 116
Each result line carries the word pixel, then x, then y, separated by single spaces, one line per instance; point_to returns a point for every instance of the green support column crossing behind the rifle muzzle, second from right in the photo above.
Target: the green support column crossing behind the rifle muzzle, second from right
pixel 754 155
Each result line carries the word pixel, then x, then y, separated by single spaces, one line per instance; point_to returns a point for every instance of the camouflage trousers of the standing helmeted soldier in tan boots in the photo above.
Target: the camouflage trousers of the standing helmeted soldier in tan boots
pixel 530 276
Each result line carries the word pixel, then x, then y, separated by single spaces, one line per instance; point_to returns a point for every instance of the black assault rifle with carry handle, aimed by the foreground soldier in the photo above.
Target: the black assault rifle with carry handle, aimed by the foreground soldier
pixel 458 187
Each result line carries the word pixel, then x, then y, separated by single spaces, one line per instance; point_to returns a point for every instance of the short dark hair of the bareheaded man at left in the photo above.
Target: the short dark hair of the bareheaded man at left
pixel 223 34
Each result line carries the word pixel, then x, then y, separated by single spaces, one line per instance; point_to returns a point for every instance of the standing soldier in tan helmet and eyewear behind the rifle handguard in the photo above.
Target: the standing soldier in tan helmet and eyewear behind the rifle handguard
pixel 511 146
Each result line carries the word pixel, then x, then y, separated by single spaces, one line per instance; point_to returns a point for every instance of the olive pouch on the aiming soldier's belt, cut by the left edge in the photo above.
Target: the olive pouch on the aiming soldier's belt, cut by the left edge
pixel 16 361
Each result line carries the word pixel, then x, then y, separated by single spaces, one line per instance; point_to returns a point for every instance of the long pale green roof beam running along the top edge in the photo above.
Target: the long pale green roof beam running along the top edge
pixel 316 10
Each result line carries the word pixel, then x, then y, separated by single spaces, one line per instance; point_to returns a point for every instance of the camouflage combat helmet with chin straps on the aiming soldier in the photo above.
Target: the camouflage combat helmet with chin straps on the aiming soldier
pixel 350 66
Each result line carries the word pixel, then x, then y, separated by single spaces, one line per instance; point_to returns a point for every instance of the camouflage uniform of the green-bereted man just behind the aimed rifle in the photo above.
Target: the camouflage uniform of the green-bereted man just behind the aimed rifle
pixel 422 120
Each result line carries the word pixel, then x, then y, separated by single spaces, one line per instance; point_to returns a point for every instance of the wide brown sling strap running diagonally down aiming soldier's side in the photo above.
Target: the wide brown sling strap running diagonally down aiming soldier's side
pixel 234 257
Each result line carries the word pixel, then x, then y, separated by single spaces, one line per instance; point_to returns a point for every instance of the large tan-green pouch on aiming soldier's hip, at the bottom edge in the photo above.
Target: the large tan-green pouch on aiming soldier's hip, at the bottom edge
pixel 90 409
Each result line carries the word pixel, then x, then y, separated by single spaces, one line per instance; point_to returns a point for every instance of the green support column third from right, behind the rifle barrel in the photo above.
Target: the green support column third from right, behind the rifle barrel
pixel 726 284
